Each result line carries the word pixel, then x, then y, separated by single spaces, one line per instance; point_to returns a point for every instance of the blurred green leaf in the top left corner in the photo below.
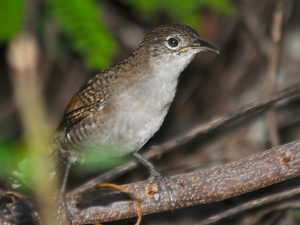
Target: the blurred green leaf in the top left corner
pixel 11 18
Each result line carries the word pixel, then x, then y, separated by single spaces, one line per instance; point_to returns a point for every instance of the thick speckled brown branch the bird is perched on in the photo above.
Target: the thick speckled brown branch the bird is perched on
pixel 199 187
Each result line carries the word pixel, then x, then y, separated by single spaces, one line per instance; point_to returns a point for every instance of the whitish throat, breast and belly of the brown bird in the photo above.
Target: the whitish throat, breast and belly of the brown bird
pixel 140 110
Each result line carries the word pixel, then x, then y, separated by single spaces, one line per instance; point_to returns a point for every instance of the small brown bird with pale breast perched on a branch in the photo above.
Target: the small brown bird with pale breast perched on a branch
pixel 124 105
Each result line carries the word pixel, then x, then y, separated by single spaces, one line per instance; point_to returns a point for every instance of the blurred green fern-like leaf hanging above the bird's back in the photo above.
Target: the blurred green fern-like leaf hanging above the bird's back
pixel 81 21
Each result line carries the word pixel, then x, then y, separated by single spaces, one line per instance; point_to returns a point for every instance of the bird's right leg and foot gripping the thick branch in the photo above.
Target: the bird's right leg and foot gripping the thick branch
pixel 157 176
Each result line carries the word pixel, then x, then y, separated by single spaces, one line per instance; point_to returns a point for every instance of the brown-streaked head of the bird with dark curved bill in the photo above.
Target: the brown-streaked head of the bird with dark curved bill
pixel 173 46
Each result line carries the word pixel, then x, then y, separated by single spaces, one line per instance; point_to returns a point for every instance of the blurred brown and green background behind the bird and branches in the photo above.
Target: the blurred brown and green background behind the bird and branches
pixel 49 48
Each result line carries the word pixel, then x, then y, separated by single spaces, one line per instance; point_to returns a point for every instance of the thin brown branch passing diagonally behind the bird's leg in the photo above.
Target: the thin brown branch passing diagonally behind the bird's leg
pixel 200 129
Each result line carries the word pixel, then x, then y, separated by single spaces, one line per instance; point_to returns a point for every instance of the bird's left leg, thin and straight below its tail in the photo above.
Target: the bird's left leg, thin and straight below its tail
pixel 63 209
